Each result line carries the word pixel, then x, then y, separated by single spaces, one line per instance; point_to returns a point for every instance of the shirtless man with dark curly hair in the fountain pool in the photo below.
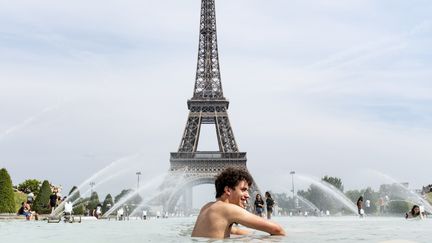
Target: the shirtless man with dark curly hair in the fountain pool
pixel 216 219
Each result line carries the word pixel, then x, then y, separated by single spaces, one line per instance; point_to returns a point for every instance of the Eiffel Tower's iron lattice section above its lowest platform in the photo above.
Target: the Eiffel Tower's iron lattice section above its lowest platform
pixel 208 105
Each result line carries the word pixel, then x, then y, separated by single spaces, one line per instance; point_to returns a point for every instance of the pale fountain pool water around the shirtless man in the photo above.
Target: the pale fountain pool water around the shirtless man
pixel 299 229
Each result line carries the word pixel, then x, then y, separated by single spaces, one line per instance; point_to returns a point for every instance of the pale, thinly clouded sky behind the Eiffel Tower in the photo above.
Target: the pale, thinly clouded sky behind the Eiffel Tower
pixel 320 87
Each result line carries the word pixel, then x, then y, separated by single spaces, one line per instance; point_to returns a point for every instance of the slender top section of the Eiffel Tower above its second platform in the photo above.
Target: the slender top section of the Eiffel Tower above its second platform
pixel 208 82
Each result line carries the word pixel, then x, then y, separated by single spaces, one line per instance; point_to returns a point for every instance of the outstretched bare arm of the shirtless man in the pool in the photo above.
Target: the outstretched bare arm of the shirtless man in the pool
pixel 243 217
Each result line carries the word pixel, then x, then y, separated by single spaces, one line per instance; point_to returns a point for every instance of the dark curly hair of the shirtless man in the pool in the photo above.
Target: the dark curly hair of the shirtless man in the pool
pixel 230 177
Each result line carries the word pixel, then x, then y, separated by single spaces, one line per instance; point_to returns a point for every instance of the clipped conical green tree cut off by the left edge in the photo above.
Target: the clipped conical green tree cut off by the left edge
pixel 7 197
